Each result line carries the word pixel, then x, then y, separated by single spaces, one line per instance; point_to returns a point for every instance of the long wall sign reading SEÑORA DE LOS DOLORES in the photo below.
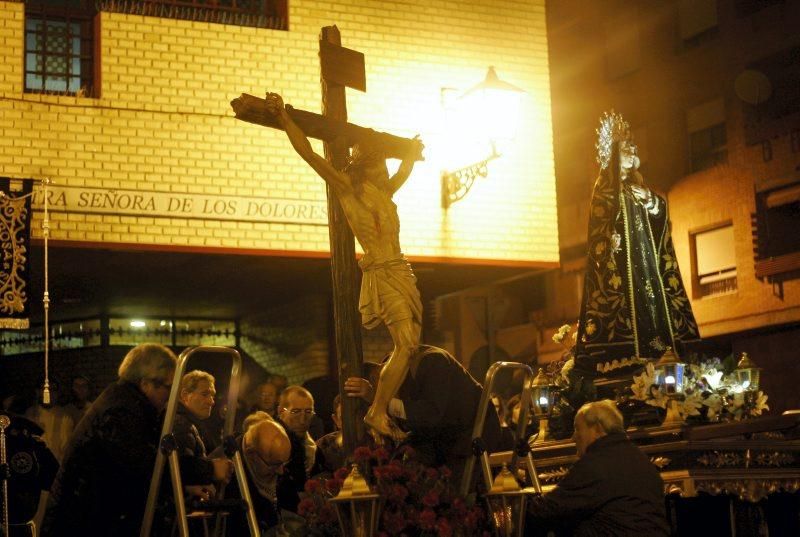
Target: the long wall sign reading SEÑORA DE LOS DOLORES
pixel 182 205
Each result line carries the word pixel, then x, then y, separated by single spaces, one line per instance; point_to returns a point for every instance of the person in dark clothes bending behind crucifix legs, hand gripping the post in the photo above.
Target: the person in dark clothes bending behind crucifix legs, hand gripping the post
pixel 437 403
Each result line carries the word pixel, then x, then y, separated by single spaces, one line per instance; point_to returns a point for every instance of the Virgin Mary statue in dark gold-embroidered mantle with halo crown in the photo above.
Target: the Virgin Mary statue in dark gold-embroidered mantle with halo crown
pixel 634 303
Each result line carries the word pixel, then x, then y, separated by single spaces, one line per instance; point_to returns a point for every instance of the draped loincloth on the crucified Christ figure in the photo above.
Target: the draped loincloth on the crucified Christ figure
pixel 388 292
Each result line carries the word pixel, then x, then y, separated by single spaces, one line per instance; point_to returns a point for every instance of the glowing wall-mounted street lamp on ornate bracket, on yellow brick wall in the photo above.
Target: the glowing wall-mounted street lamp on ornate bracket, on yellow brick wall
pixel 493 107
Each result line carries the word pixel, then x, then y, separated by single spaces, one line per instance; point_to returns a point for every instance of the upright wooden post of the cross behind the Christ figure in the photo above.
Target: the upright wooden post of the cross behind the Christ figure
pixel 344 273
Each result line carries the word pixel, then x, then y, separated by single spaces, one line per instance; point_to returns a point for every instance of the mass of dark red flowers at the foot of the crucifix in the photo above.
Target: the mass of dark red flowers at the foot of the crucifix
pixel 419 500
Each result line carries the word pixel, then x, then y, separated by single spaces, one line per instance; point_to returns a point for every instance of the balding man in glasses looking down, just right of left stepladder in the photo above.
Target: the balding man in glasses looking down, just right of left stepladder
pixel 265 449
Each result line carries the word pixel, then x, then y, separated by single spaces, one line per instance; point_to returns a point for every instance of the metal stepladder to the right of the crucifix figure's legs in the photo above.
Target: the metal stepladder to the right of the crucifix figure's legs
pixel 522 449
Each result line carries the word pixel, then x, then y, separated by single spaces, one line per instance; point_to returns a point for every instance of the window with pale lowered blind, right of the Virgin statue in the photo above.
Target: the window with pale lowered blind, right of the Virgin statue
pixel 714 262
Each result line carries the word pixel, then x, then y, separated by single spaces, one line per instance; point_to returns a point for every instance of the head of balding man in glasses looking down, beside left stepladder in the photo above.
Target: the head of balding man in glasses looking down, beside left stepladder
pixel 266 445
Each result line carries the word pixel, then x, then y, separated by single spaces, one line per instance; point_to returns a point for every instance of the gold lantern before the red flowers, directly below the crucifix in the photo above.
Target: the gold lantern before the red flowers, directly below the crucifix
pixel 357 507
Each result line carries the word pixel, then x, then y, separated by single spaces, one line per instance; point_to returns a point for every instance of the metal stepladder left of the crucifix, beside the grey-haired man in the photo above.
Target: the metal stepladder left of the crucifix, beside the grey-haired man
pixel 168 452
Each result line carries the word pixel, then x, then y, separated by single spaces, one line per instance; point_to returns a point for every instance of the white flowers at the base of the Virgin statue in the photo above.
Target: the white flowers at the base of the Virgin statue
pixel 709 393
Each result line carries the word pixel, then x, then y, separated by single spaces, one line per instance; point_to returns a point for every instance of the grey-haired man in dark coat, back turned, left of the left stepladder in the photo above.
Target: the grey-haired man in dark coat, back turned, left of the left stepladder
pixel 102 486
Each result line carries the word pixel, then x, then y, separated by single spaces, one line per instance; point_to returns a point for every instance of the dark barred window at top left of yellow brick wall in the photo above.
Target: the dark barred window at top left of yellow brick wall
pixel 59 48
